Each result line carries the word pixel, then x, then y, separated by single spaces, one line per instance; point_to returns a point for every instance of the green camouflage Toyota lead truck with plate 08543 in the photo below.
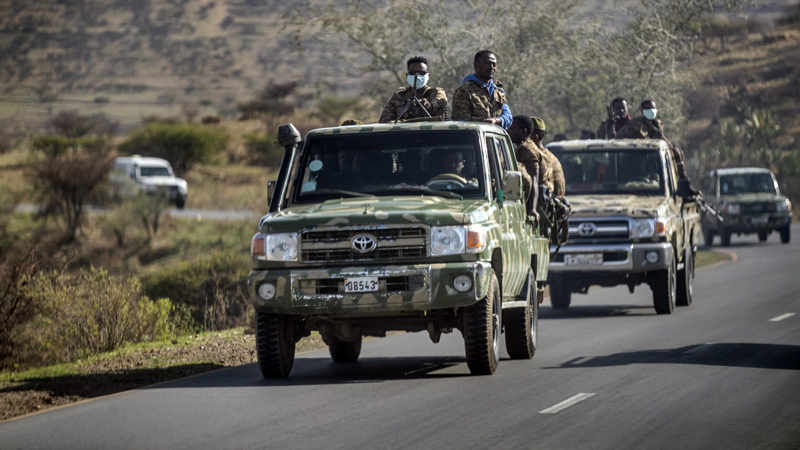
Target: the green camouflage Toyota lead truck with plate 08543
pixel 411 227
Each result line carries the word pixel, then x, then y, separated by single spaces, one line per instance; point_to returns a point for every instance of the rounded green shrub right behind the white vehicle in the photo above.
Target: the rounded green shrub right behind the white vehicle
pixel 182 144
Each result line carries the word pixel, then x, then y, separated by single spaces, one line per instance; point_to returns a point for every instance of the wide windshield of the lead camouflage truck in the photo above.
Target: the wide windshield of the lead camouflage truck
pixel 443 163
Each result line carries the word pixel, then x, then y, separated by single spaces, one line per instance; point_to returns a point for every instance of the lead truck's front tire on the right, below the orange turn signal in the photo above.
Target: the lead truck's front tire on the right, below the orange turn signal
pixel 482 331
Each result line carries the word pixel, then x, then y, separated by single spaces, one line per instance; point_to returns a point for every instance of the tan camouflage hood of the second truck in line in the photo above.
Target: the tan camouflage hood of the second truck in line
pixel 618 205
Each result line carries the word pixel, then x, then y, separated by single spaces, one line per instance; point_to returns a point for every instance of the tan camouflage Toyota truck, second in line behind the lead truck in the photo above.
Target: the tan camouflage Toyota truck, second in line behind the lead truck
pixel 628 226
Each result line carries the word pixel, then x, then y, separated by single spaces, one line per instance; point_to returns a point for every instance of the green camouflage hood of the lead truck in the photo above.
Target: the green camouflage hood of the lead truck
pixel 376 211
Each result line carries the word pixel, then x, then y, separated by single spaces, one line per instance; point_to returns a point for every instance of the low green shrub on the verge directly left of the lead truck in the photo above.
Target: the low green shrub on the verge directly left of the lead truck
pixel 213 287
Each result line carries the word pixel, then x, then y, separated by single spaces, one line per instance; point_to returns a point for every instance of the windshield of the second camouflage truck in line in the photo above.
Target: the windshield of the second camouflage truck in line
pixel 636 172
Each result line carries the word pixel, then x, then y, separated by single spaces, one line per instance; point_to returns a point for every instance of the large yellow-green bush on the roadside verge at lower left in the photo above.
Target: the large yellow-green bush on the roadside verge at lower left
pixel 93 312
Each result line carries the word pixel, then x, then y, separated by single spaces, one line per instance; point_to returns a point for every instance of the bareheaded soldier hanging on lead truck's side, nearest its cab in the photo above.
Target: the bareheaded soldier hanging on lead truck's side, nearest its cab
pixel 529 158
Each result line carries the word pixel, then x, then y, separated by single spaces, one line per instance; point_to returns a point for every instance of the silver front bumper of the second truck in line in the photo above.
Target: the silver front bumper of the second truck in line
pixel 629 258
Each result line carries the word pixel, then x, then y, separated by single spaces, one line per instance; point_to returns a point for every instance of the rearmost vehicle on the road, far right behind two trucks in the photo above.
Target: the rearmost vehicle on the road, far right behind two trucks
pixel 749 201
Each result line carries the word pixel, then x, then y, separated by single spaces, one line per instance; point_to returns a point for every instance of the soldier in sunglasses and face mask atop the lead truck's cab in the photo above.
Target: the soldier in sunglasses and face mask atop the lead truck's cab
pixel 433 99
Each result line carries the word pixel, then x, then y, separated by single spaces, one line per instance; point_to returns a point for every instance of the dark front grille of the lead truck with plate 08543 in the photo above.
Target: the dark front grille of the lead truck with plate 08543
pixel 335 244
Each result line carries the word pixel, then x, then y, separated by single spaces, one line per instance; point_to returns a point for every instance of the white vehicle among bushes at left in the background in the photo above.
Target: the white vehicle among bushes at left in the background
pixel 137 174
